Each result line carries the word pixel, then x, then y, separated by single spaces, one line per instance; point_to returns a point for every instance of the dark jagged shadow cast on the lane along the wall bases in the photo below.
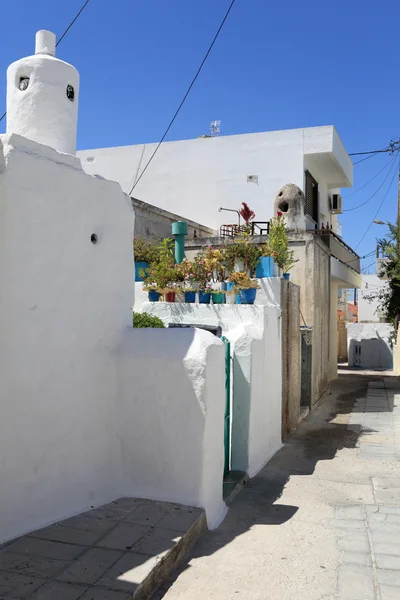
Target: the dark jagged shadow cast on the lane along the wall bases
pixel 317 438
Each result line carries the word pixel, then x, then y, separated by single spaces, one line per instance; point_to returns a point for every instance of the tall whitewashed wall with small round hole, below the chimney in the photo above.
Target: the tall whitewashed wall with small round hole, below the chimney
pixel 63 303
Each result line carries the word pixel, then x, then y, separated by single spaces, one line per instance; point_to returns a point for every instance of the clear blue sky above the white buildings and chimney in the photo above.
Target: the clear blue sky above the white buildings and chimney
pixel 276 65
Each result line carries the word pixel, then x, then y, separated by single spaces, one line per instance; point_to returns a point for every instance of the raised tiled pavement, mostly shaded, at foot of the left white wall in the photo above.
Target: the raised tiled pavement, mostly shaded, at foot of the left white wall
pixel 116 552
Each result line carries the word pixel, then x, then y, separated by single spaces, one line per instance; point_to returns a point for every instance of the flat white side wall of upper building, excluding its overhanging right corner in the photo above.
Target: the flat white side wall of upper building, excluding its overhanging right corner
pixel 194 178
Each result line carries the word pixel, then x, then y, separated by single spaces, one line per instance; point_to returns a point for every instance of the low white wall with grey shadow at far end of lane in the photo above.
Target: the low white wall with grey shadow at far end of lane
pixel 370 345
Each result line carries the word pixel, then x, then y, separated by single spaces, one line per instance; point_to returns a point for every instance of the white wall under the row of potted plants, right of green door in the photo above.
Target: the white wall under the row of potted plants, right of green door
pixel 254 333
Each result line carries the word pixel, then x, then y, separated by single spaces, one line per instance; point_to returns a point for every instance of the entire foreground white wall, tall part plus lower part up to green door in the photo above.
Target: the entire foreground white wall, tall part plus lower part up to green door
pixel 69 378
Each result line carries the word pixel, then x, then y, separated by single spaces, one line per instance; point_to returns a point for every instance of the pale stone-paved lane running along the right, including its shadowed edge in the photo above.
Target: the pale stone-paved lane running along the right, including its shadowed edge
pixel 322 520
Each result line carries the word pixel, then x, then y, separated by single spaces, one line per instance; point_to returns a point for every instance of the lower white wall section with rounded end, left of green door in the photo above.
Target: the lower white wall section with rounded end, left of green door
pixel 171 419
